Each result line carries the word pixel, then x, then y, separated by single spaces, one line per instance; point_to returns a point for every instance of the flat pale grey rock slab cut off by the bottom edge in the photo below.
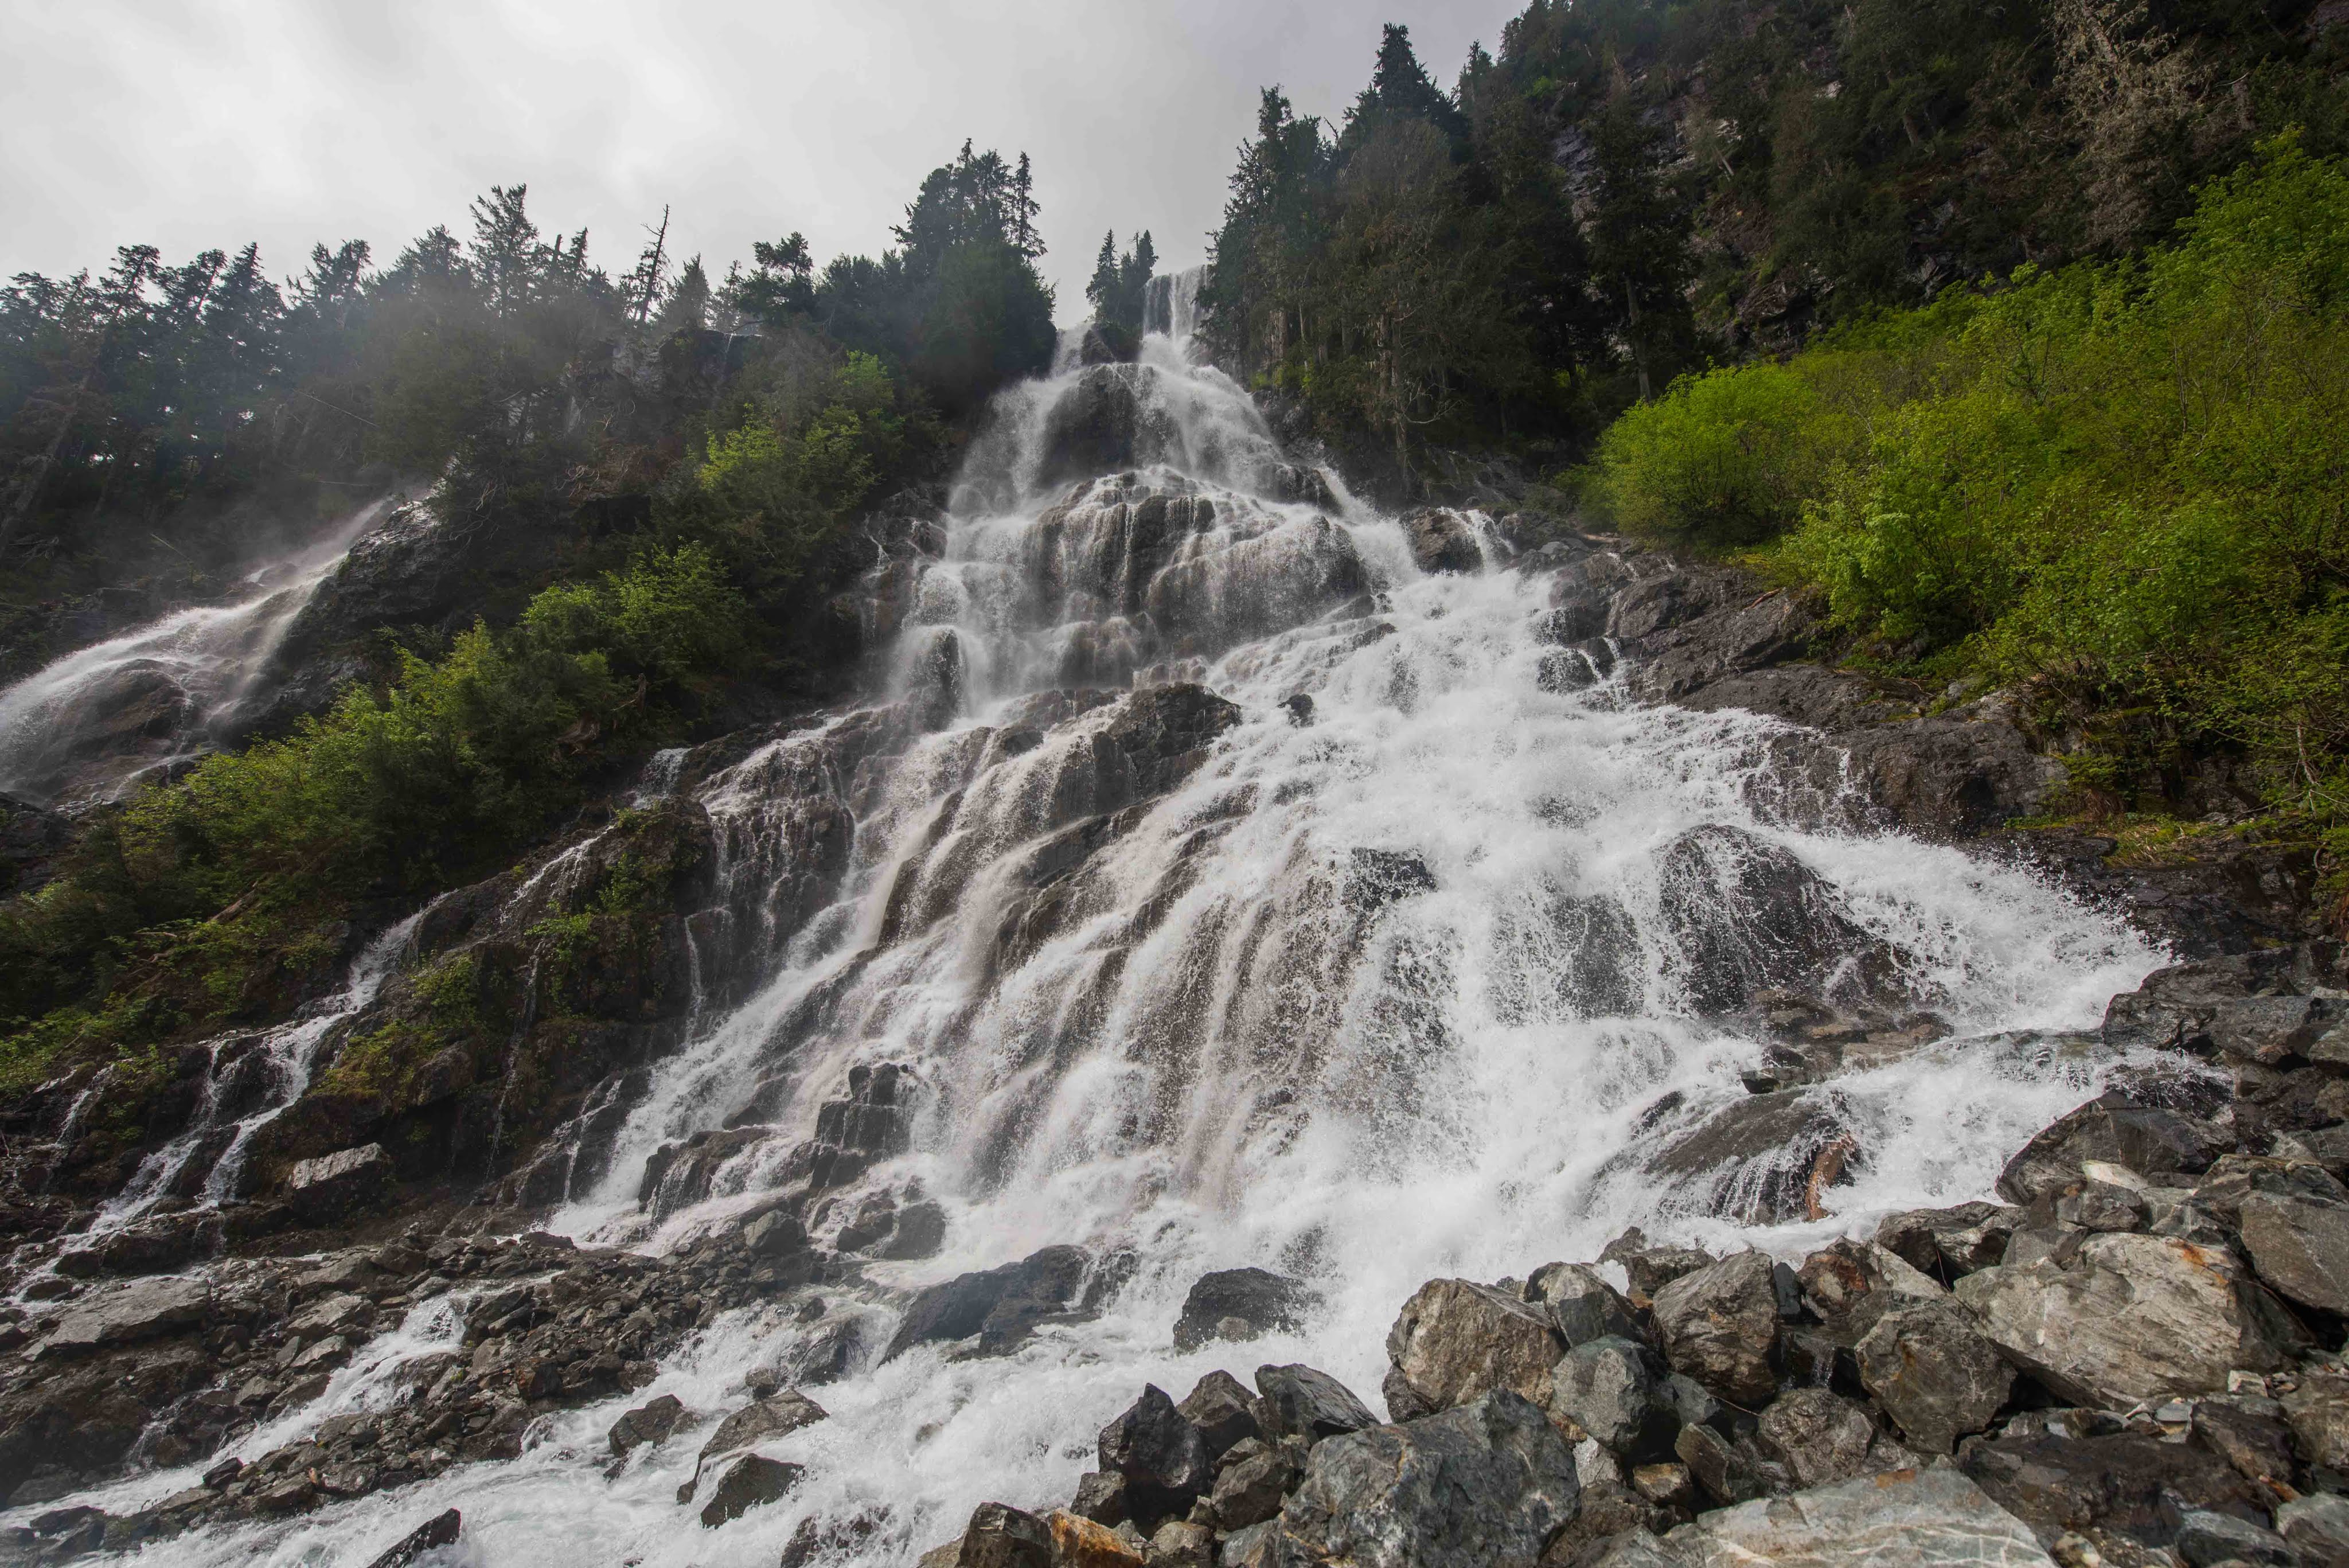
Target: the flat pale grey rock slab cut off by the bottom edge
pixel 1902 1520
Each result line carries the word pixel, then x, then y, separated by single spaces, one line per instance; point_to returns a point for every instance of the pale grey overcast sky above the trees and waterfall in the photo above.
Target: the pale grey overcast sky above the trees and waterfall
pixel 210 123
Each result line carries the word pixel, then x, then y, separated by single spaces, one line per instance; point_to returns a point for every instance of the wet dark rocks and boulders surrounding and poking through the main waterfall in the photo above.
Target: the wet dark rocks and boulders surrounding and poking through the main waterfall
pixel 201 1249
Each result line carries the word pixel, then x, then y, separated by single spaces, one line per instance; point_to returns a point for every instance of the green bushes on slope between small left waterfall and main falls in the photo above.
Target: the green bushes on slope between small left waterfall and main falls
pixel 215 897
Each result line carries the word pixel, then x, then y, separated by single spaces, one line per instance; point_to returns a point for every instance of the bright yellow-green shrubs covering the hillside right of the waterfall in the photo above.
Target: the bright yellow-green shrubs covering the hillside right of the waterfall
pixel 2113 483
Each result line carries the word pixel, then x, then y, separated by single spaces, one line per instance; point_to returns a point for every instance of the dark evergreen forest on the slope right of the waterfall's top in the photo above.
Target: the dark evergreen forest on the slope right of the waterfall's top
pixel 1634 189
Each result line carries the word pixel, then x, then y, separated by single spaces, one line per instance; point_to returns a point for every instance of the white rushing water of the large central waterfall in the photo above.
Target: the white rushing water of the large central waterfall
pixel 1378 998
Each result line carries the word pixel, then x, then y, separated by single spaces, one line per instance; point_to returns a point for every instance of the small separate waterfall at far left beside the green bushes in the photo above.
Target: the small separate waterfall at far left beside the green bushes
pixel 97 723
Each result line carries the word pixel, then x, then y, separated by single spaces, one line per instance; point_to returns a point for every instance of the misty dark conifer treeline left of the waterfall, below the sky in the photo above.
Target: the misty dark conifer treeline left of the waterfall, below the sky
pixel 163 410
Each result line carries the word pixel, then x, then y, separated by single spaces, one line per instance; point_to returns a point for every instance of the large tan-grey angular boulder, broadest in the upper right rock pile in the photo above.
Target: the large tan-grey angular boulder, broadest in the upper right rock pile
pixel 2129 1320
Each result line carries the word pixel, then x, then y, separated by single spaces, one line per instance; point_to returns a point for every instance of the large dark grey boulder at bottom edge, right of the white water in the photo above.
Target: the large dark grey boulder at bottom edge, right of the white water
pixel 1481 1487
